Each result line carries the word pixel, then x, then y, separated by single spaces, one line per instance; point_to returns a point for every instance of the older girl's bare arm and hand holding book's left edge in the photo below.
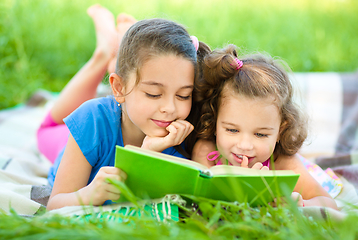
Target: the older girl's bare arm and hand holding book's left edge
pixel 70 186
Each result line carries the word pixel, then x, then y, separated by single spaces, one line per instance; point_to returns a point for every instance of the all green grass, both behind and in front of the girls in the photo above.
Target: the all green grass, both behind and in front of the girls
pixel 43 43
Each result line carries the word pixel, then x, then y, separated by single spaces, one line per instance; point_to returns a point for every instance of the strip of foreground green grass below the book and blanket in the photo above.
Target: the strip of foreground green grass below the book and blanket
pixel 218 220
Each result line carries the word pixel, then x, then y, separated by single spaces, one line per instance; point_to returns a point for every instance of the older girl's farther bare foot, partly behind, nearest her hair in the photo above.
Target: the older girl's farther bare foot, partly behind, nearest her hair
pixel 124 21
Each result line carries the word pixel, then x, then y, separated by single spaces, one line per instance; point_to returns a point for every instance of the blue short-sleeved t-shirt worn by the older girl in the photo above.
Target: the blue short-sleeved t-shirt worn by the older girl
pixel 96 127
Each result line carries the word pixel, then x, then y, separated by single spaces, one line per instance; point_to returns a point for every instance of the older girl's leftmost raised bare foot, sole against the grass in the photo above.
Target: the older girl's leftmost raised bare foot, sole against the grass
pixel 106 34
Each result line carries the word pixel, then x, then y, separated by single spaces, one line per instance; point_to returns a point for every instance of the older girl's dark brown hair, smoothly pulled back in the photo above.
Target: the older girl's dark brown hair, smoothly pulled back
pixel 151 38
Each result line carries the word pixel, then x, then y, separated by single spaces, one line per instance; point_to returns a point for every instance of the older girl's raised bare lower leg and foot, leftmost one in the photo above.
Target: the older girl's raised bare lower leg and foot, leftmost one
pixel 83 85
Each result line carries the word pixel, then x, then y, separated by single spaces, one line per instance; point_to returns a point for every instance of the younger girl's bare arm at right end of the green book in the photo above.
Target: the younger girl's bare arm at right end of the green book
pixel 312 192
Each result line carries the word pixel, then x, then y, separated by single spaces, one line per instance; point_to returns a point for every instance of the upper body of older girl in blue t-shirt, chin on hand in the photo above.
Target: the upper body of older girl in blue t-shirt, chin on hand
pixel 152 87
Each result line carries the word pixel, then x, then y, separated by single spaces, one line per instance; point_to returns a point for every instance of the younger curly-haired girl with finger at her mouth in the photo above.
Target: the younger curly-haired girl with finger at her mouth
pixel 248 115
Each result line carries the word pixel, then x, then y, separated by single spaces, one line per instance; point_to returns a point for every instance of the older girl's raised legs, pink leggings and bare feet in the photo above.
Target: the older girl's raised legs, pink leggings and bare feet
pixel 83 86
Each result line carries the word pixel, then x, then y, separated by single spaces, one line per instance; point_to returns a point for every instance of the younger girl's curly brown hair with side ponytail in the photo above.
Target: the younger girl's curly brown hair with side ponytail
pixel 261 76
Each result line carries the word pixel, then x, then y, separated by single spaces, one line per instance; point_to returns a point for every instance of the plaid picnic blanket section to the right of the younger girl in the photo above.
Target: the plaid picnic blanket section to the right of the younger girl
pixel 331 100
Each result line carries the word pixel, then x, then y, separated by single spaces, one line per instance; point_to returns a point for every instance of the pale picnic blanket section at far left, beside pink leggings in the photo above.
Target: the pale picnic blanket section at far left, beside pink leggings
pixel 23 171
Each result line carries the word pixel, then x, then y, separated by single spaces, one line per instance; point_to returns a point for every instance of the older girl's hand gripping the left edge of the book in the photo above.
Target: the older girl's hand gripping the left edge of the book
pixel 100 190
